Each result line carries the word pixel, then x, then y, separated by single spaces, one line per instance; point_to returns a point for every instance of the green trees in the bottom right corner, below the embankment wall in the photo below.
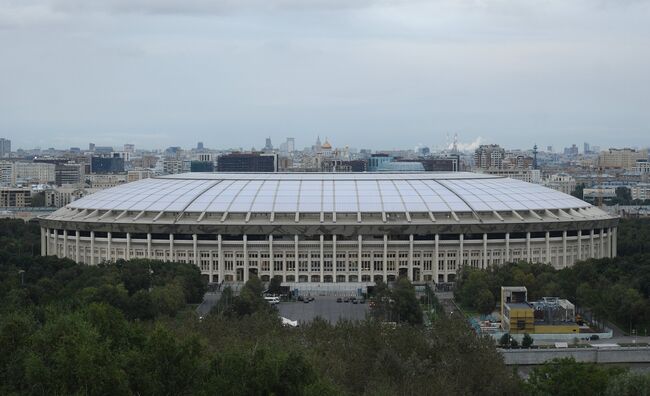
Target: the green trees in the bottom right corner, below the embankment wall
pixel 566 377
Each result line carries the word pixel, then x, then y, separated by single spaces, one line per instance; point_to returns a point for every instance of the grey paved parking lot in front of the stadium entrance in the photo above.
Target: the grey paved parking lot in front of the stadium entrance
pixel 324 306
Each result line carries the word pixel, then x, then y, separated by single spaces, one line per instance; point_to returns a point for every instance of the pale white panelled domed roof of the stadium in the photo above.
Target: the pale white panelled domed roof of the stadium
pixel 361 193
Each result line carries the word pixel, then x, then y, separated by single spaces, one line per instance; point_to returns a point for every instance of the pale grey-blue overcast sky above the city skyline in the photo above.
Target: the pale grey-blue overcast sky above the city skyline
pixel 376 74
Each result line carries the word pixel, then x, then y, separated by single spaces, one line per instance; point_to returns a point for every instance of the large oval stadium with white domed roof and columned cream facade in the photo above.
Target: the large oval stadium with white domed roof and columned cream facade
pixel 330 227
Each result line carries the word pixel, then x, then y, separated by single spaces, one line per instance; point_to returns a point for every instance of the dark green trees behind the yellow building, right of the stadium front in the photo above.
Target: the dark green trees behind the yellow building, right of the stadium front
pixel 615 289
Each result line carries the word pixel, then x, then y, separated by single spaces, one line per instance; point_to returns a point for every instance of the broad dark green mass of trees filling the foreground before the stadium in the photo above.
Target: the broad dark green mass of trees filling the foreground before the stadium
pixel 130 328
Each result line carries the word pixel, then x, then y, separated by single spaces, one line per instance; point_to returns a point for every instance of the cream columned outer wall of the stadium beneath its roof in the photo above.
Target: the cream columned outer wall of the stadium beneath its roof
pixel 329 258
